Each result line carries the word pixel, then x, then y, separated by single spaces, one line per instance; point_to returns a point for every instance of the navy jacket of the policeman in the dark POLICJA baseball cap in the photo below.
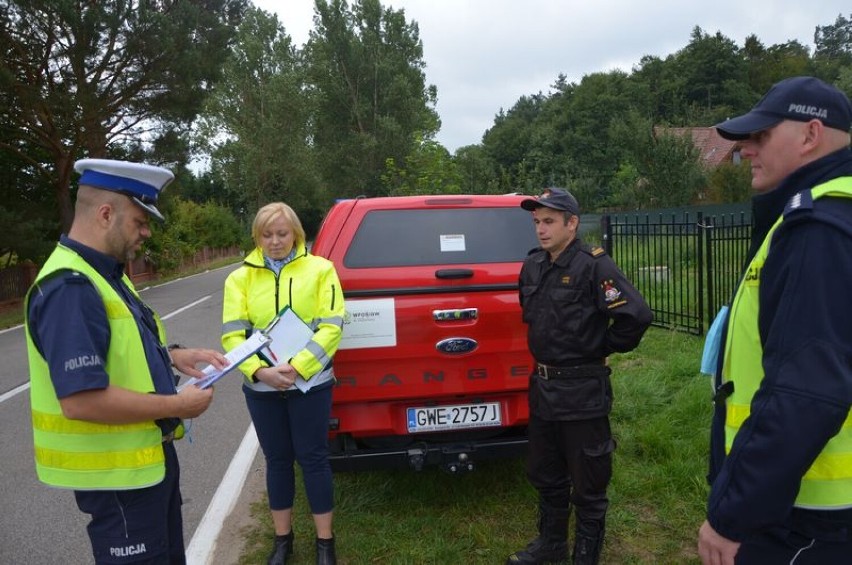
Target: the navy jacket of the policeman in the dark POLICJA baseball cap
pixel 751 500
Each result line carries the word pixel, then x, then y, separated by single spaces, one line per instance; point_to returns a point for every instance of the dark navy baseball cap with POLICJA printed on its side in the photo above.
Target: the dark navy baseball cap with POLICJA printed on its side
pixel 801 99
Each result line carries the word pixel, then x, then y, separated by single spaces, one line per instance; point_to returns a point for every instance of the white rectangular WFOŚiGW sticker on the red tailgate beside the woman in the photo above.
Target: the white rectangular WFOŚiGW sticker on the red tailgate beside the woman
pixel 369 323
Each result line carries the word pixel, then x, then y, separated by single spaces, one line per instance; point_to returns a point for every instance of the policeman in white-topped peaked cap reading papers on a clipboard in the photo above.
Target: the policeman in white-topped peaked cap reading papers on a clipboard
pixel 105 410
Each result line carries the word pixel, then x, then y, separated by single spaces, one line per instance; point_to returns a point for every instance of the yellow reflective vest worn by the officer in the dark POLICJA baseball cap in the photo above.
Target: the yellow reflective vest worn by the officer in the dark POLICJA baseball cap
pixel 828 482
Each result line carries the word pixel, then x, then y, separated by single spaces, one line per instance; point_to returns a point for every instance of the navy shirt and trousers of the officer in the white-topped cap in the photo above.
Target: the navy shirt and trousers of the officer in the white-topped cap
pixel 121 527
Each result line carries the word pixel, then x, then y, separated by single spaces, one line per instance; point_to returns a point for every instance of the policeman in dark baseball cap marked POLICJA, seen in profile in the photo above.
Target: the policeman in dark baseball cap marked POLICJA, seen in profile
pixel 781 438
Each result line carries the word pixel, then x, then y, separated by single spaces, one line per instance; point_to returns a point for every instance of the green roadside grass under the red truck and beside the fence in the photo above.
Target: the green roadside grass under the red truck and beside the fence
pixel 660 421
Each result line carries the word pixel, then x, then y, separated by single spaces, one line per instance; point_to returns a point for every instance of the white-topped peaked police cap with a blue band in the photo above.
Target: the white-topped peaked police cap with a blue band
pixel 141 182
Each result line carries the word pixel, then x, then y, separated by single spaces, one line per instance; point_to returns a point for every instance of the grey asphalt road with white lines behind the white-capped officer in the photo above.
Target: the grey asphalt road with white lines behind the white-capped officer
pixel 39 524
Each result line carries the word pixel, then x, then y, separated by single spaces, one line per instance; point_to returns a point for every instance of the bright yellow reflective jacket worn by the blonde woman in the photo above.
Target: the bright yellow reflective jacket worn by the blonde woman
pixel 309 286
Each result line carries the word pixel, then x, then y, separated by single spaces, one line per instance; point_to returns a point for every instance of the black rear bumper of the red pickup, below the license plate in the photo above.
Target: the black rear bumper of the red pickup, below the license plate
pixel 454 457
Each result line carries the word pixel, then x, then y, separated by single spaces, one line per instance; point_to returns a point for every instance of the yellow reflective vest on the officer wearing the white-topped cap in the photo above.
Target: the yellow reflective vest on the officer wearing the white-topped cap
pixel 88 455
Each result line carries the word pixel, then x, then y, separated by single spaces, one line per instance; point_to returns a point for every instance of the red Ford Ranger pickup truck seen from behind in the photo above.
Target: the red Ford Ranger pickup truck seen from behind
pixel 433 365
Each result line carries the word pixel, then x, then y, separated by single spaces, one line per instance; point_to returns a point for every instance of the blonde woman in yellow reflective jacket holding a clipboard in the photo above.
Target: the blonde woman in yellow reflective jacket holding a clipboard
pixel 291 426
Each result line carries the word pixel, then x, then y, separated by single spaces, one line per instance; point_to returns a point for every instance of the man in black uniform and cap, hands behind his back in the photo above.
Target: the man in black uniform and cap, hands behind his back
pixel 580 308
